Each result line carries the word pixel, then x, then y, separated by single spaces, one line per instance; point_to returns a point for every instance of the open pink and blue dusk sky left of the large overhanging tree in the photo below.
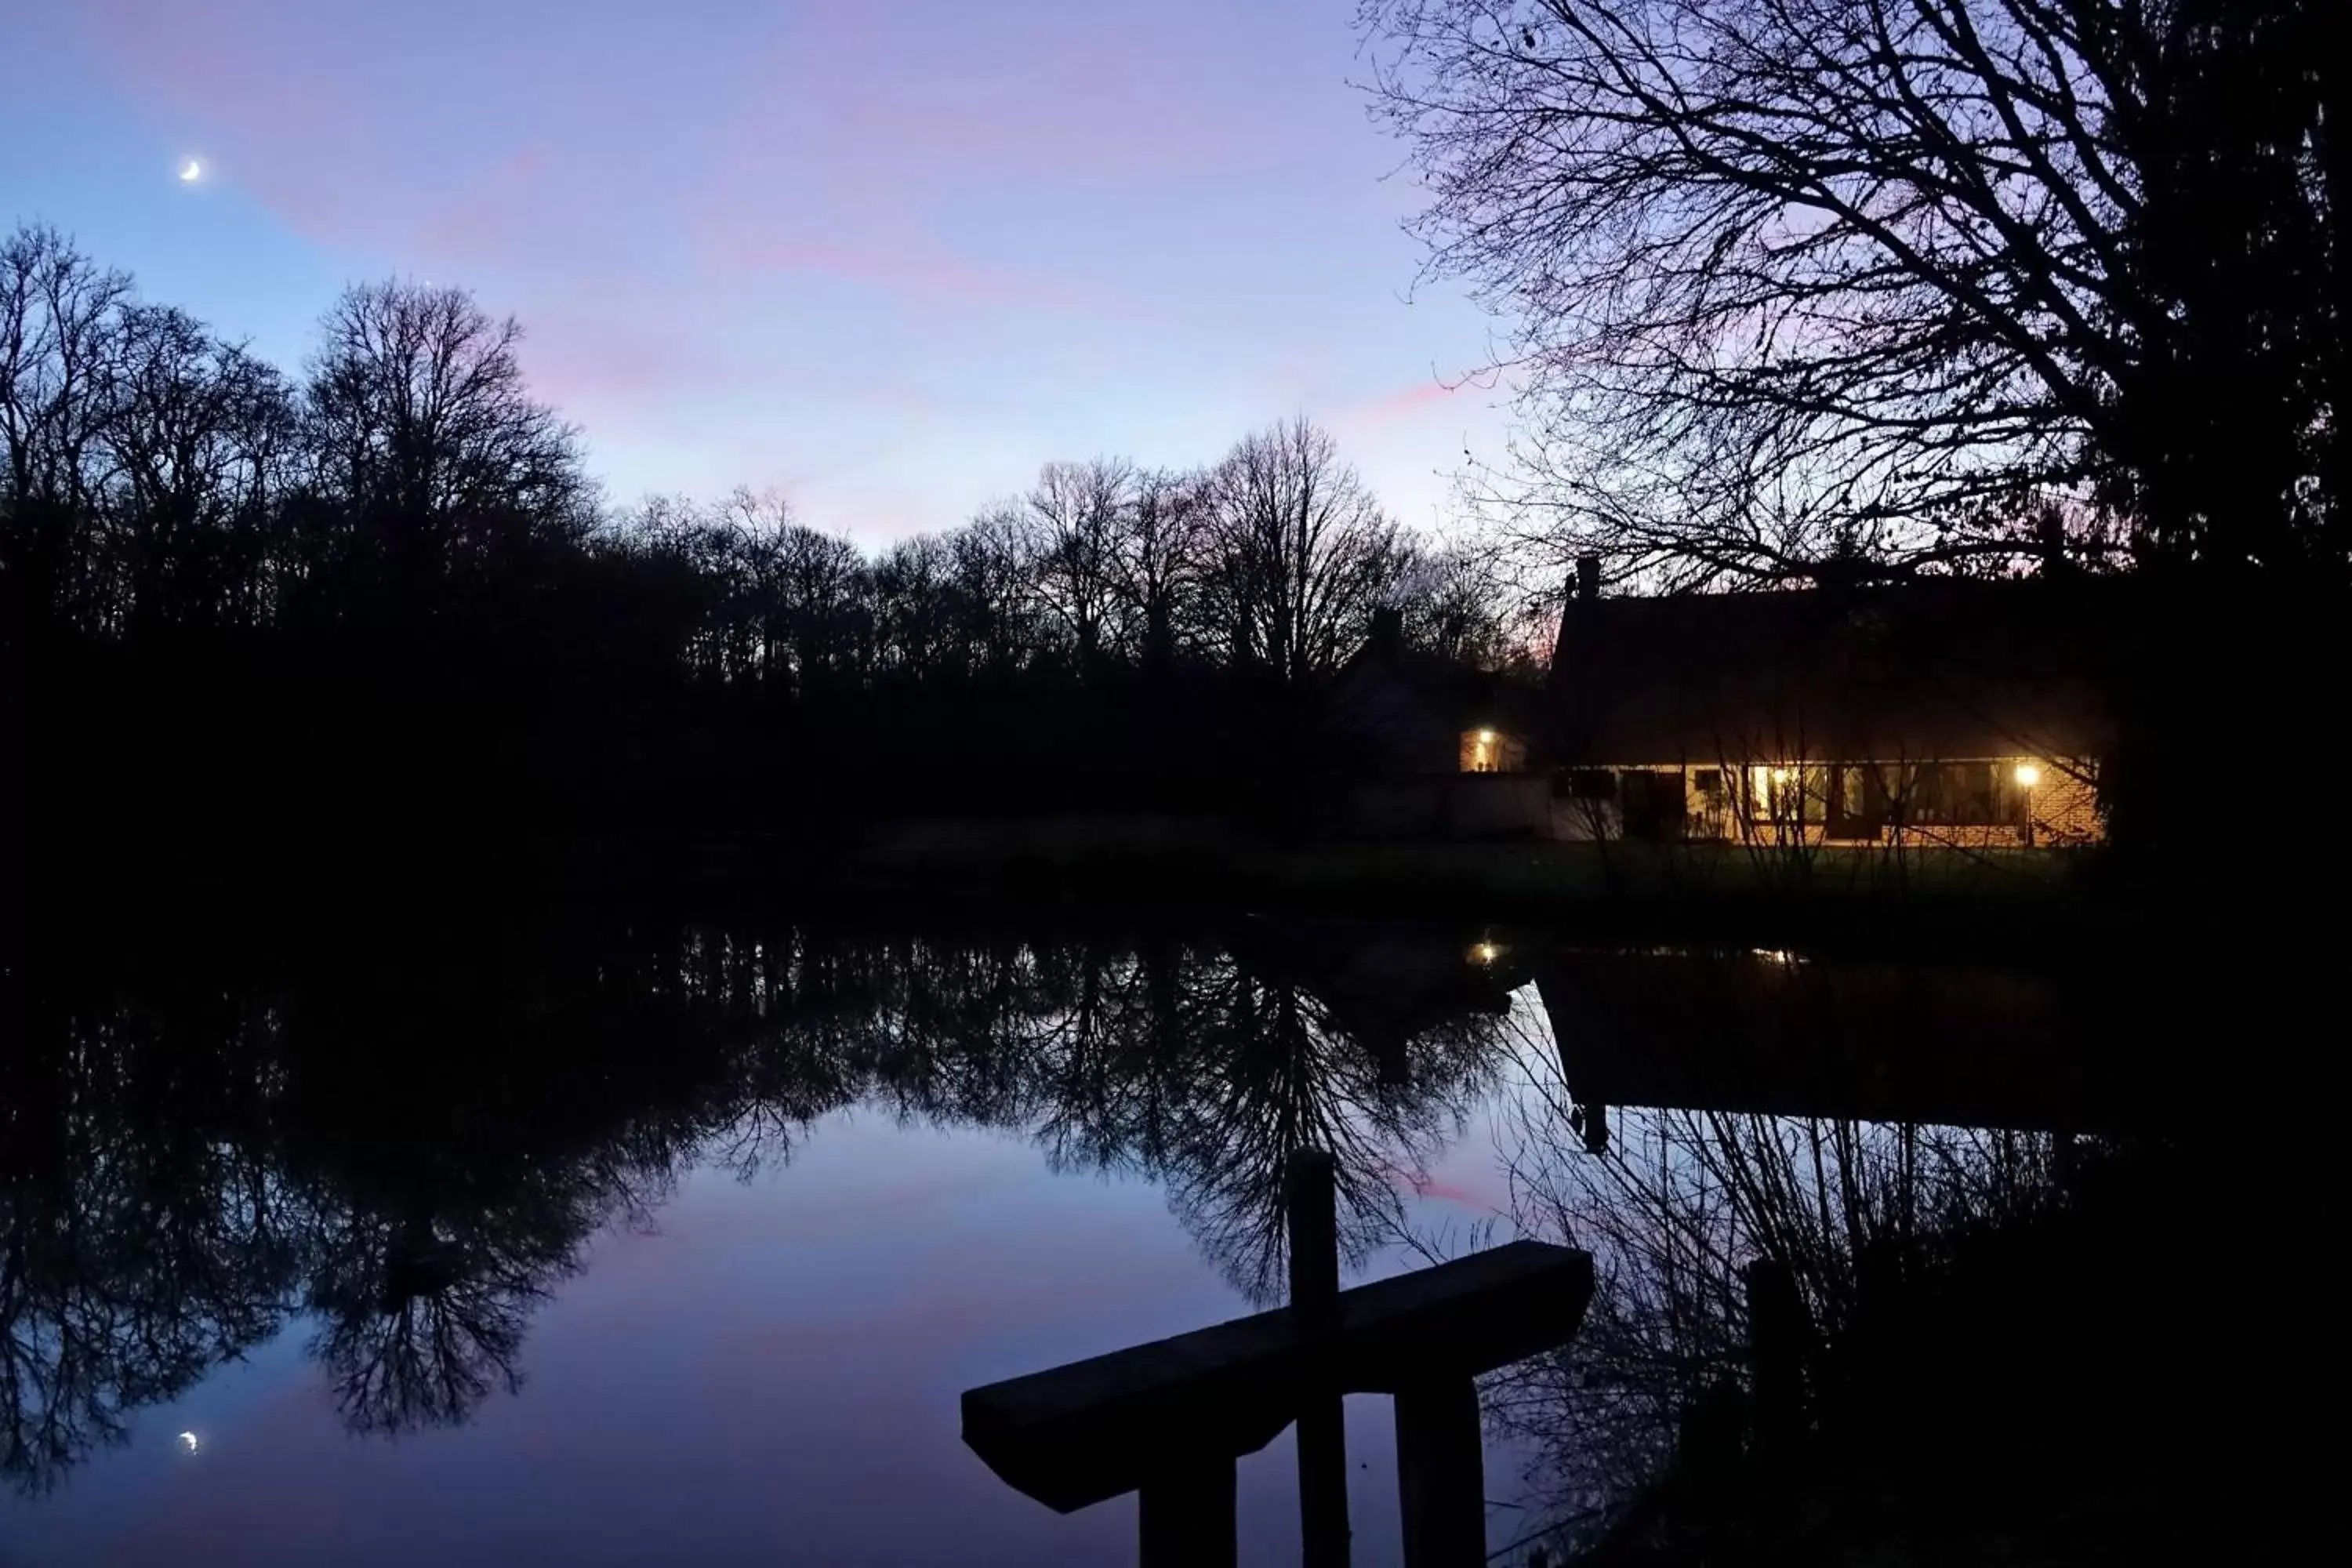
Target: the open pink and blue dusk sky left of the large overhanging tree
pixel 886 257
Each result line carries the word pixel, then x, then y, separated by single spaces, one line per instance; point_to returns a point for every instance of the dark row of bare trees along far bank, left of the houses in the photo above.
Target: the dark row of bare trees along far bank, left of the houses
pixel 389 582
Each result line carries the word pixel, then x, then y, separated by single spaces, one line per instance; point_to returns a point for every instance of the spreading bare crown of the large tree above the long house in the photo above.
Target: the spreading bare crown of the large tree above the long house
pixel 1916 281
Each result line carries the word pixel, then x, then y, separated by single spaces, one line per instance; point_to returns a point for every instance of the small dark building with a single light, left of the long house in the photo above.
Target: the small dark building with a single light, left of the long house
pixel 1434 749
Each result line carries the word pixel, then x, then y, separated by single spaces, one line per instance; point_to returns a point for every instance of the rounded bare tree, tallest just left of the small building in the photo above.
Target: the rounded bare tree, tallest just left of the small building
pixel 1299 554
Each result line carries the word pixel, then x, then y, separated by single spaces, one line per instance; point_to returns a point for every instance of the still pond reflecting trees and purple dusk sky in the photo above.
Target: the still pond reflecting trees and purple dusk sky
pixel 679 1240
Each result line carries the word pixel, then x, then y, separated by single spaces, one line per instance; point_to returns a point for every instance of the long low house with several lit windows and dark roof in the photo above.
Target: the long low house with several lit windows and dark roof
pixel 1925 711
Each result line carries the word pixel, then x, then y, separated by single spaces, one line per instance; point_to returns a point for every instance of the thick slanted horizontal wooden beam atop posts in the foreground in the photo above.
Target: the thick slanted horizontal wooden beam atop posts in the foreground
pixel 1100 1428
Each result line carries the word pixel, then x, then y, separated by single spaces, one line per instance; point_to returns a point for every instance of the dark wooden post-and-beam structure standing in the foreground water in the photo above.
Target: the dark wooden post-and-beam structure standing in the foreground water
pixel 1170 1419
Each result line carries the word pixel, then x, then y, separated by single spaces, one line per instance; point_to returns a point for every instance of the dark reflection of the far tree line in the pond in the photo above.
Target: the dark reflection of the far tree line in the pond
pixel 410 1155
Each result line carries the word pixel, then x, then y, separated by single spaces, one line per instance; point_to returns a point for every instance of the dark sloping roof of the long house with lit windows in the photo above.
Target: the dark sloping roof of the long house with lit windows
pixel 1920 669
